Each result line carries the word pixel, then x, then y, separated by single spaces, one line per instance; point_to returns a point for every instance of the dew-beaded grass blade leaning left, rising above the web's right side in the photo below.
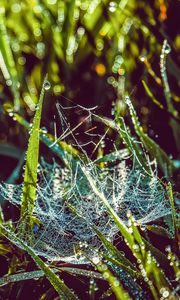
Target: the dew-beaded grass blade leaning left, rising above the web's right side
pixel 154 149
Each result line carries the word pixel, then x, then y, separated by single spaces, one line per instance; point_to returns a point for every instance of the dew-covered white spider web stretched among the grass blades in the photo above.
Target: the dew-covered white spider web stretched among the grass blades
pixel 66 208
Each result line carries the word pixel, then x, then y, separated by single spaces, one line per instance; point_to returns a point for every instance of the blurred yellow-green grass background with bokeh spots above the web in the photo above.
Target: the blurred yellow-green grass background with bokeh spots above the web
pixel 94 53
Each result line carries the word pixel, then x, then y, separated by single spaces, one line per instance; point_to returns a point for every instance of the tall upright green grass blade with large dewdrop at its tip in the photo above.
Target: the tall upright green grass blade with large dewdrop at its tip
pixel 30 174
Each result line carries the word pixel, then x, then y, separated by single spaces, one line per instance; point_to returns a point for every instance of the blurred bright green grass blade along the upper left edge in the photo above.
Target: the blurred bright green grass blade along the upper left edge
pixel 7 63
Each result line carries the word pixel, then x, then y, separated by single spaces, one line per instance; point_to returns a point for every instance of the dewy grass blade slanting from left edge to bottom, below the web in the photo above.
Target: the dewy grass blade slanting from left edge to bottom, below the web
pixel 64 292
